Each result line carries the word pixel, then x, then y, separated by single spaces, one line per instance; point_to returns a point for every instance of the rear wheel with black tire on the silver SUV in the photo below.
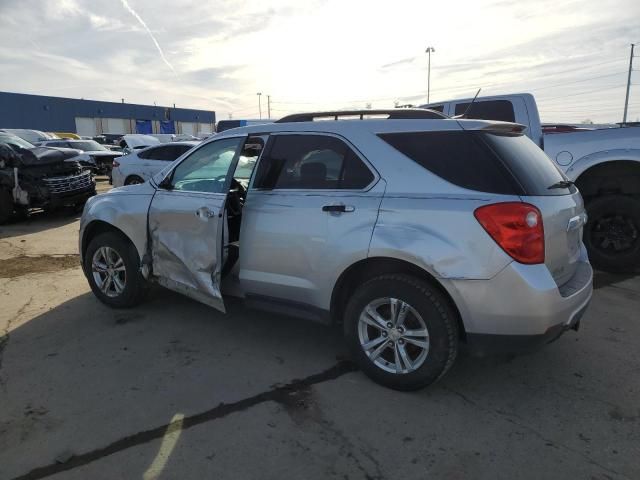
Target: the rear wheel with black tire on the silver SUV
pixel 426 303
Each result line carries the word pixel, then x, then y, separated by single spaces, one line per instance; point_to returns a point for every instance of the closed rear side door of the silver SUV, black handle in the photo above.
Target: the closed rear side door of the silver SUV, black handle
pixel 311 207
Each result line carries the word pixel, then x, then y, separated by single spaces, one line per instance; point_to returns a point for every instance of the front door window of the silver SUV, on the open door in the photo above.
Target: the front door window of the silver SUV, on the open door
pixel 206 169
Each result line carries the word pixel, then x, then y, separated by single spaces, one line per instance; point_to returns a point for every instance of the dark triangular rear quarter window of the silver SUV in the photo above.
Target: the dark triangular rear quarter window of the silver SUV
pixel 458 157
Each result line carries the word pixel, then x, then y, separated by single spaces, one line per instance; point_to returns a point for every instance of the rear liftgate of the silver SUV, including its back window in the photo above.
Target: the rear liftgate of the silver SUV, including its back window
pixel 560 204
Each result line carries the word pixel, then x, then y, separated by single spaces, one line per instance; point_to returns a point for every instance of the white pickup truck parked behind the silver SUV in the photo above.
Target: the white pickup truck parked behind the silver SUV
pixel 604 164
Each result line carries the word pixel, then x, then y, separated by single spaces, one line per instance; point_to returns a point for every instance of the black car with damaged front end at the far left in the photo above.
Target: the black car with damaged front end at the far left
pixel 41 178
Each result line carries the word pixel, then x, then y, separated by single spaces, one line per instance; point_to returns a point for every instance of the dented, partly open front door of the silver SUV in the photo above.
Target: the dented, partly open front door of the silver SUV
pixel 186 221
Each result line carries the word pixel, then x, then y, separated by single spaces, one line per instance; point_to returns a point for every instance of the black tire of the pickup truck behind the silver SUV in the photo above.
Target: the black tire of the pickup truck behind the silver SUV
pixel 612 233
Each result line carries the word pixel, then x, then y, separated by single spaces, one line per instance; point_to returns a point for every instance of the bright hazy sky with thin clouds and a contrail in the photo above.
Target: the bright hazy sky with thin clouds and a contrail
pixel 324 54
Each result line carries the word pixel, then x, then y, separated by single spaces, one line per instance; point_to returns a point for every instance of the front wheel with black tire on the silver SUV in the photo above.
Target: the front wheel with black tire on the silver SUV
pixel 127 287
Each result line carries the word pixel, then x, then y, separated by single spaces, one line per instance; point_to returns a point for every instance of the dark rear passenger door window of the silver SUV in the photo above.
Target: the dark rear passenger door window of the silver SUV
pixel 311 162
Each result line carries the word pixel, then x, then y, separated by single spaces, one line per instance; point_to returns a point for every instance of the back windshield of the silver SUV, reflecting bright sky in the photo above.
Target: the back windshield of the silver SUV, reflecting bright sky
pixel 528 163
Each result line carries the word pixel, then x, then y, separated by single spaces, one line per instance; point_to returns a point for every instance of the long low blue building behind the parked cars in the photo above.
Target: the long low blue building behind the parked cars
pixel 91 117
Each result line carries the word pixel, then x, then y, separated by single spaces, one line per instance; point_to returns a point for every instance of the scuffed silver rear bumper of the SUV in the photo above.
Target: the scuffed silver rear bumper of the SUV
pixel 522 307
